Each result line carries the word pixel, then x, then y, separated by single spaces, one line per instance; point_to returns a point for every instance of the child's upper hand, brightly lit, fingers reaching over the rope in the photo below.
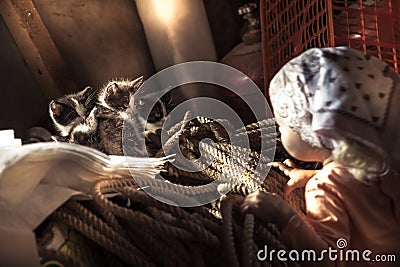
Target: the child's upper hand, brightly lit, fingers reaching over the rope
pixel 298 178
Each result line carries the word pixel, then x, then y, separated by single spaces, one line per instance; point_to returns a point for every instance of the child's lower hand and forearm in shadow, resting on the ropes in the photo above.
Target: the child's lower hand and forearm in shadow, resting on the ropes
pixel 269 208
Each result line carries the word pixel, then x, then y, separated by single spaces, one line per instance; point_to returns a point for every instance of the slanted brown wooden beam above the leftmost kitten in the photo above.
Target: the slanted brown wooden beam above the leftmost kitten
pixel 37 47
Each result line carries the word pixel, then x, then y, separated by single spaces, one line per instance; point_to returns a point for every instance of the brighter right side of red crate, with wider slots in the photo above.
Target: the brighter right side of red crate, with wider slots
pixel 371 26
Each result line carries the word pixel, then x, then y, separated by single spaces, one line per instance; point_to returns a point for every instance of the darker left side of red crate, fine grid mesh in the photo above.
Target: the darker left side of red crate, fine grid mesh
pixel 290 27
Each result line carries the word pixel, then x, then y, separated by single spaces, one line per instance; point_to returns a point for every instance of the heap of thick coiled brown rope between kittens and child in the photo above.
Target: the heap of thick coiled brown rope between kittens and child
pixel 139 230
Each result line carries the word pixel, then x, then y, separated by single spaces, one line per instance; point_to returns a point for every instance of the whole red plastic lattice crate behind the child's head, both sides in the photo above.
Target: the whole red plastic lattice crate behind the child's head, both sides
pixel 291 27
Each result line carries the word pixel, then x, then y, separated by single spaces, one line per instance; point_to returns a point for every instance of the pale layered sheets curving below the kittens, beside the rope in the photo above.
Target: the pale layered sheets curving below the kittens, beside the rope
pixel 36 179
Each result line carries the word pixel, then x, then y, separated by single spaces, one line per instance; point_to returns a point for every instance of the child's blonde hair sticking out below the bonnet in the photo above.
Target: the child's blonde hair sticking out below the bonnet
pixel 363 162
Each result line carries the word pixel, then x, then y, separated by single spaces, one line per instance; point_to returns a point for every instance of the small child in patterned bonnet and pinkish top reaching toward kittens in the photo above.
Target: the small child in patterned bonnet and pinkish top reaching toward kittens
pixel 340 107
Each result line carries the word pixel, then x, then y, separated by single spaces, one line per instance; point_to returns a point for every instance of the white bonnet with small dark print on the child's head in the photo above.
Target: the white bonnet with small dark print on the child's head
pixel 326 94
